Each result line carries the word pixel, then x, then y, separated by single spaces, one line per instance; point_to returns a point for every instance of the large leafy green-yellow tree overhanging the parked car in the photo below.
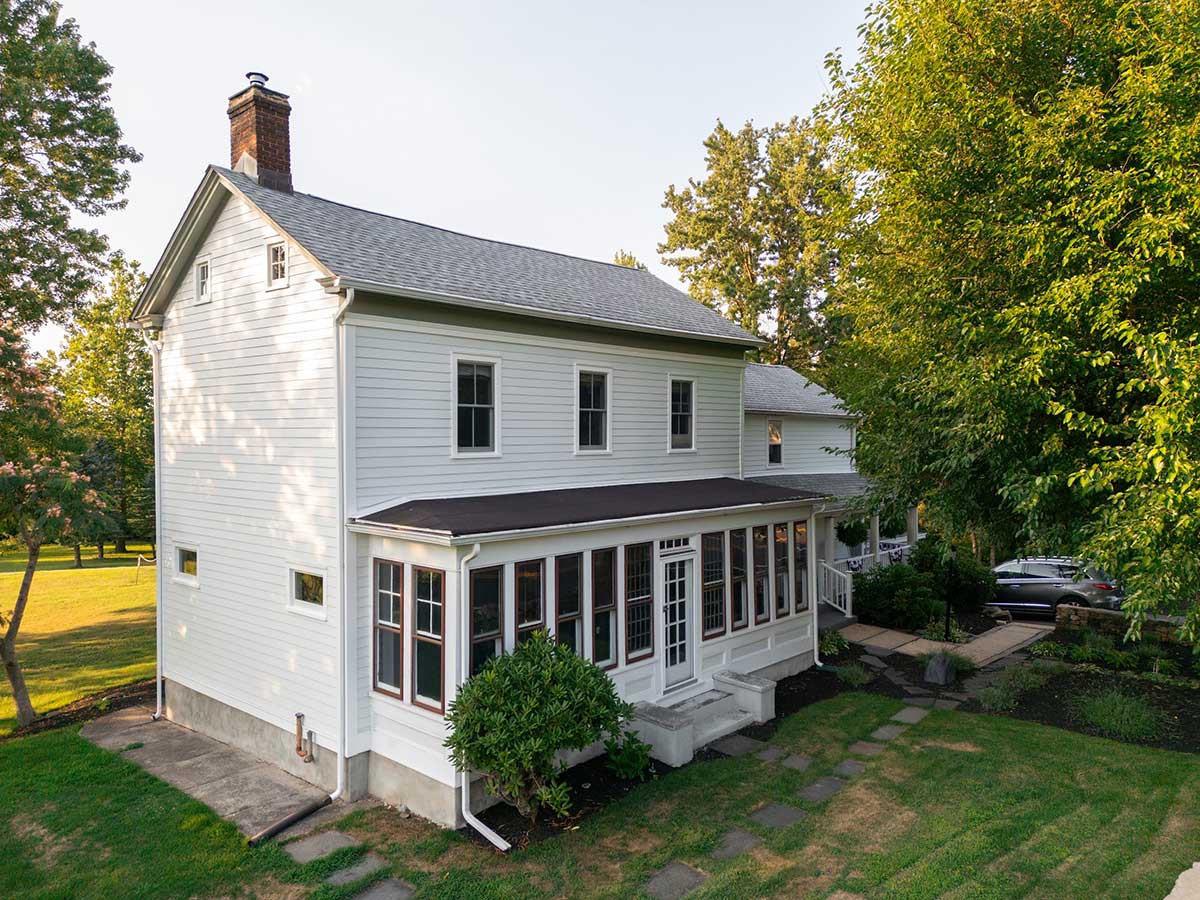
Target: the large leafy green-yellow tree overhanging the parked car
pixel 1019 269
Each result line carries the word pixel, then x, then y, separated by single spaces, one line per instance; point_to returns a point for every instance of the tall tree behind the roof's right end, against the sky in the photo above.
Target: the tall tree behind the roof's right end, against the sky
pixel 751 241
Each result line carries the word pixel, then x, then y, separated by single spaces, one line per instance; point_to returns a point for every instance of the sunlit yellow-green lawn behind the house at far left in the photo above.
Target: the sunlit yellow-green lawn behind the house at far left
pixel 85 629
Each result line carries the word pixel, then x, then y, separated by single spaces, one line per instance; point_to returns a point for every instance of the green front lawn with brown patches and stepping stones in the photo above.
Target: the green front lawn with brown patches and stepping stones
pixel 959 807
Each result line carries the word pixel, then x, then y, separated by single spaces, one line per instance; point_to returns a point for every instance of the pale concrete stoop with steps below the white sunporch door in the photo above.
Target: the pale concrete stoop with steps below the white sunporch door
pixel 676 731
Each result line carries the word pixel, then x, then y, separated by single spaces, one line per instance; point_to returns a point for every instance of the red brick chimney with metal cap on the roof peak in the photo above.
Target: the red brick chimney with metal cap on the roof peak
pixel 260 145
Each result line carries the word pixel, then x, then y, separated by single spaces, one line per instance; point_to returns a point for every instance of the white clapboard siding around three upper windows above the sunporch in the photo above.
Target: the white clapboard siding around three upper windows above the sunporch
pixel 404 406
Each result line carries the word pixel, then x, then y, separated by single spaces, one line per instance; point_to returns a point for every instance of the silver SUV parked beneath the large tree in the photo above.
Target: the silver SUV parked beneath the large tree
pixel 1040 584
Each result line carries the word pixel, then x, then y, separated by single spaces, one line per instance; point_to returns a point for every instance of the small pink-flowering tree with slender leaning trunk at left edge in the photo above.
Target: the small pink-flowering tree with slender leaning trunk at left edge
pixel 43 497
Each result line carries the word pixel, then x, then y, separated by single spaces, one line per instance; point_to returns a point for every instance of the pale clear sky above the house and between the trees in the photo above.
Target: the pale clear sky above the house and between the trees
pixel 550 124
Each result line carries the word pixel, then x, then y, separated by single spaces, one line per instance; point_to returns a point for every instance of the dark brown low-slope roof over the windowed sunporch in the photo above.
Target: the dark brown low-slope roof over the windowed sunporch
pixel 459 517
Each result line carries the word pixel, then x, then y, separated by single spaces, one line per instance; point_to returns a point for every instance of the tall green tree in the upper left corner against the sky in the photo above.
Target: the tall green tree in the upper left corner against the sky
pixel 61 154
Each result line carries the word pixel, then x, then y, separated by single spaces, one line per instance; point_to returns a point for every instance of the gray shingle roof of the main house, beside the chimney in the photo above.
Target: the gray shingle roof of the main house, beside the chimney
pixel 397 254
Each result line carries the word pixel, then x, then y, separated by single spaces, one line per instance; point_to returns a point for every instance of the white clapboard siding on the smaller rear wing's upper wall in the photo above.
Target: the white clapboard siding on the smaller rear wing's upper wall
pixel 808 441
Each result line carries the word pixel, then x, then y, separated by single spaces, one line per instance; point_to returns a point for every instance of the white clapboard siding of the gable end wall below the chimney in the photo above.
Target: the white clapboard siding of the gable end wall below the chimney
pixel 250 481
